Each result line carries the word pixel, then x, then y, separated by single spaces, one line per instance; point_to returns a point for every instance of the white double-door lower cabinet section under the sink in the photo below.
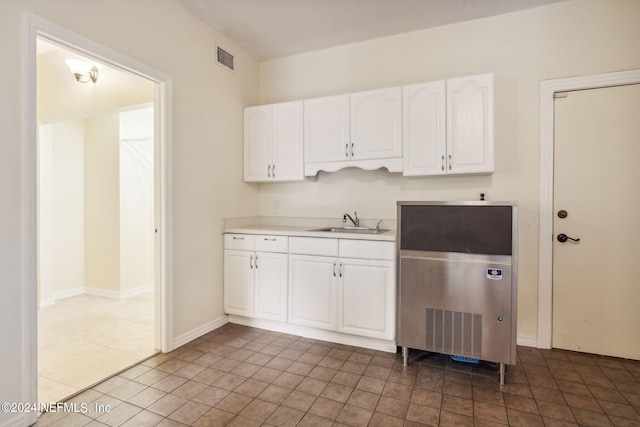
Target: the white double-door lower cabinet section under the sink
pixel 349 295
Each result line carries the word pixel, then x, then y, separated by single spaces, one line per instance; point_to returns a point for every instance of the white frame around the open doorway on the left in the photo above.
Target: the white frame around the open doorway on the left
pixel 34 27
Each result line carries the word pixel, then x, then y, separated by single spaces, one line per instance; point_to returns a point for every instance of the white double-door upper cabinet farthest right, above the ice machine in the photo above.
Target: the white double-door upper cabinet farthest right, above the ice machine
pixel 448 126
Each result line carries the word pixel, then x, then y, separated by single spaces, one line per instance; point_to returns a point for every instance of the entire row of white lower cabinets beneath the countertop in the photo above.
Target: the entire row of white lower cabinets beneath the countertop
pixel 342 285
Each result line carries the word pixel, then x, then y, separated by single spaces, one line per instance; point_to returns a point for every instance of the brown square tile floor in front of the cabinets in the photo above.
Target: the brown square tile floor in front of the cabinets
pixel 241 376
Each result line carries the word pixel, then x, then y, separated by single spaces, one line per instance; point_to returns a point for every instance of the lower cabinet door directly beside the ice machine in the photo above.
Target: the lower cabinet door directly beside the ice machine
pixel 366 298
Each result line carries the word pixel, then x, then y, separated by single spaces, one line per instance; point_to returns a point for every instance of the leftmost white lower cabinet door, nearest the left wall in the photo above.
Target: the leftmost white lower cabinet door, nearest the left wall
pixel 239 282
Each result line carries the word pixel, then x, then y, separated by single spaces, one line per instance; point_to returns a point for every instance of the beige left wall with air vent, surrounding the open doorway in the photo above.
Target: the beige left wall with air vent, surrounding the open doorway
pixel 207 152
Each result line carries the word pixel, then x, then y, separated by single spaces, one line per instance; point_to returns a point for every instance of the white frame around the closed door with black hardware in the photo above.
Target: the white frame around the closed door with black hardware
pixel 548 89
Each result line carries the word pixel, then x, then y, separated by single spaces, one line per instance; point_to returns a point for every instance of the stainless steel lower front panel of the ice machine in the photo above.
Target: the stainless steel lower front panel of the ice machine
pixel 464 309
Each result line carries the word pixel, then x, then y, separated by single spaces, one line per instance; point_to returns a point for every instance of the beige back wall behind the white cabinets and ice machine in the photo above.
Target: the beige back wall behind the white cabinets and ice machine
pixel 579 37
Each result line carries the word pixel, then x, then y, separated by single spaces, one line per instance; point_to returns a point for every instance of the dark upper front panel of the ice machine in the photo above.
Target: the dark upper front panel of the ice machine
pixel 457 228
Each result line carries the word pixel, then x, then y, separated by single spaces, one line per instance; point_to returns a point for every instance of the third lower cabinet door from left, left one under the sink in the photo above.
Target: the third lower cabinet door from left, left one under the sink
pixel 312 291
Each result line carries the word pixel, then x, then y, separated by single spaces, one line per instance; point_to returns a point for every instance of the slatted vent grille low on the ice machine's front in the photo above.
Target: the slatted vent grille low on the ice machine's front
pixel 454 332
